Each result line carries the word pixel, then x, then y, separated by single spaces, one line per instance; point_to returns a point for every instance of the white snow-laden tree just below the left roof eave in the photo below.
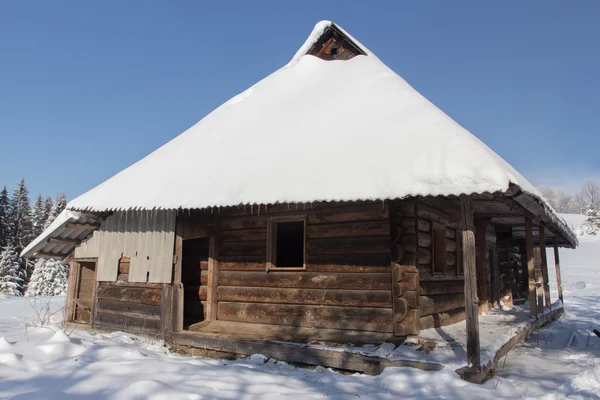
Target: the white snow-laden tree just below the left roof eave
pixel 49 278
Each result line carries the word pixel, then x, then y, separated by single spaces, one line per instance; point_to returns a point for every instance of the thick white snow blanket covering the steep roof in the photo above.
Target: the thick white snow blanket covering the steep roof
pixel 314 130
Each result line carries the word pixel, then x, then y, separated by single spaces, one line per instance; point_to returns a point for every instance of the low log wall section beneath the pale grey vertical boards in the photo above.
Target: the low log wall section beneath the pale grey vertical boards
pixel 129 307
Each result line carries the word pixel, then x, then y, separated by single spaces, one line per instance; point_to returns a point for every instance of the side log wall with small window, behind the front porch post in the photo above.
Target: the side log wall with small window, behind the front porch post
pixel 440 296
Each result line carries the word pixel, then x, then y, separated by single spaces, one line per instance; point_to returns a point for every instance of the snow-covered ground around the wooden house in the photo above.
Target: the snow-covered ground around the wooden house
pixel 560 361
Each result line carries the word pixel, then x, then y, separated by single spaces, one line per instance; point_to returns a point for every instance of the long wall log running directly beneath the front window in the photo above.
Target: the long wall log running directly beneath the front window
pixel 307 280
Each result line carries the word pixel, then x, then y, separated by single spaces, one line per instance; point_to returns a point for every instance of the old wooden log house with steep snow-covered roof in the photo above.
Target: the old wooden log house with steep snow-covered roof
pixel 330 201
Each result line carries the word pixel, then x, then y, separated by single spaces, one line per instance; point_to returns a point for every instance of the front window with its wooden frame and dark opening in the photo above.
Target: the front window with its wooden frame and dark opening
pixel 286 243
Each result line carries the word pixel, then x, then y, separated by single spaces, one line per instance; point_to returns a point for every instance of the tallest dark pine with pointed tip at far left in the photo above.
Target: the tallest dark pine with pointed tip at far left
pixel 20 223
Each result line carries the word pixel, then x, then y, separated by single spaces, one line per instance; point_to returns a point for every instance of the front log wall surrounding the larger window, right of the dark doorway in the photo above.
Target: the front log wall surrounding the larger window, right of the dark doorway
pixel 347 281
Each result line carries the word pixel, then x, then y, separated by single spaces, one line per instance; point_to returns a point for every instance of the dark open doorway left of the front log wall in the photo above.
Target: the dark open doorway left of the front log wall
pixel 194 260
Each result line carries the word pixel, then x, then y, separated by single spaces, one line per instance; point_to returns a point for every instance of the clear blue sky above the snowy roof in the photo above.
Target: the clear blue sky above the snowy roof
pixel 88 88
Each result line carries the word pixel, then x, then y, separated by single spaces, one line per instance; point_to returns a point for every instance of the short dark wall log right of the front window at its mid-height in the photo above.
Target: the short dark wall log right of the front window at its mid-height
pixel 362 245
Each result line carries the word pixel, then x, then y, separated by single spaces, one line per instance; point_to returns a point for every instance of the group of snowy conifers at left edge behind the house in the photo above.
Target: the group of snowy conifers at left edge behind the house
pixel 19 225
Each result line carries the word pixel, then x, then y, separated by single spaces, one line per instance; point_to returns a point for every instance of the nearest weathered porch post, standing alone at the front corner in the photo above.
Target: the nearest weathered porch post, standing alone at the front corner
pixel 470 273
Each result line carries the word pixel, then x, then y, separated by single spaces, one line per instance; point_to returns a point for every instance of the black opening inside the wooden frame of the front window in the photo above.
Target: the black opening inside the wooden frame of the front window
pixel 287 244
